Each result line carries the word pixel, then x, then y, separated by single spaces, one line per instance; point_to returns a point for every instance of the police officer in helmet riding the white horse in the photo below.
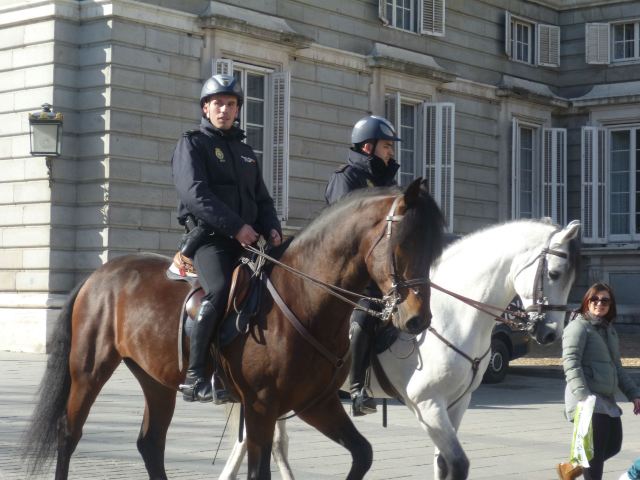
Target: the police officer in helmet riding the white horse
pixel 370 164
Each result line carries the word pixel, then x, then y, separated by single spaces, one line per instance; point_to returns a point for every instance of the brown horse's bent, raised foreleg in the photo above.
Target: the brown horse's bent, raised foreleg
pixel 330 418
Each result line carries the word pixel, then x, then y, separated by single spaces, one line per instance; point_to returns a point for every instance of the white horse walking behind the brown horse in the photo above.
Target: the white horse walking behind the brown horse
pixel 533 259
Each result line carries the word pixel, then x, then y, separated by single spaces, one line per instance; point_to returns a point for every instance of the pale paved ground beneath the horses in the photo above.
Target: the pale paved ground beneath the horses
pixel 514 430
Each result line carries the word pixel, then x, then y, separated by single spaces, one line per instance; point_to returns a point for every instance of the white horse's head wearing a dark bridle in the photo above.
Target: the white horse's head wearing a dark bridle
pixel 543 280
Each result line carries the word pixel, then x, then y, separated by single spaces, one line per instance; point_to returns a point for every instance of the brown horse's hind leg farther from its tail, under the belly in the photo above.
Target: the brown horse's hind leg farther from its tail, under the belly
pixel 160 403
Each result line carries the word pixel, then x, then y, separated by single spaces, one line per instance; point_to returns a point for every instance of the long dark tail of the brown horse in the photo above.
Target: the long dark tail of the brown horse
pixel 39 443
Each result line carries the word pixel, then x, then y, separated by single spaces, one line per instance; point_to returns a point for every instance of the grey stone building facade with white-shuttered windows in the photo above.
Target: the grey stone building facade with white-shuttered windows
pixel 511 109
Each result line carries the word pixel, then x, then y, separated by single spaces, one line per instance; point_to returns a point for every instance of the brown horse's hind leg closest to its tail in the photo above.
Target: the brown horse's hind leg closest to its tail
pixel 85 386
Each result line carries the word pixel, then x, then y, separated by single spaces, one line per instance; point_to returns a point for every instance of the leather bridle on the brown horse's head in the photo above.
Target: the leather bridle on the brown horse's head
pixel 393 298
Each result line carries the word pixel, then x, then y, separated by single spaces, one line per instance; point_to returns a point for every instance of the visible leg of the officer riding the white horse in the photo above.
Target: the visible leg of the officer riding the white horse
pixel 361 333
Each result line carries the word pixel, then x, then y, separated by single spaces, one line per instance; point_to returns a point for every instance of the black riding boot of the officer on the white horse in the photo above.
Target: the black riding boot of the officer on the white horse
pixel 361 402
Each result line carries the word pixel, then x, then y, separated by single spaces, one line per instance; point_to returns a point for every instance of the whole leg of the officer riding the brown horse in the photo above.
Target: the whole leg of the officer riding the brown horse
pixel 214 263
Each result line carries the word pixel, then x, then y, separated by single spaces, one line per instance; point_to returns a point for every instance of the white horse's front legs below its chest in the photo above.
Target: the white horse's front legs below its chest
pixel 451 462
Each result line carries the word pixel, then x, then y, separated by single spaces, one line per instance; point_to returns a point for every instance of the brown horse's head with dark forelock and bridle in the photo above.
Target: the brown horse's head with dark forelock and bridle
pixel 407 239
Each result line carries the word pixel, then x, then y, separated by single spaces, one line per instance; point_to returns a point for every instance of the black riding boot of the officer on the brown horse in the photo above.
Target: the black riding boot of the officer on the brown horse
pixel 197 386
